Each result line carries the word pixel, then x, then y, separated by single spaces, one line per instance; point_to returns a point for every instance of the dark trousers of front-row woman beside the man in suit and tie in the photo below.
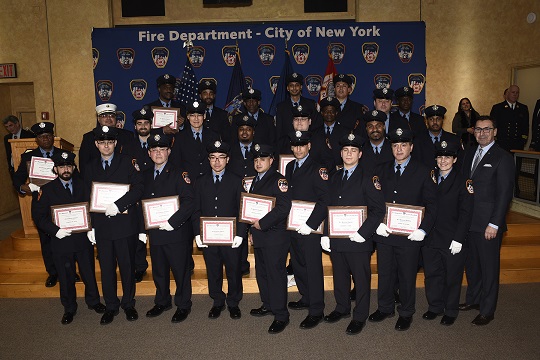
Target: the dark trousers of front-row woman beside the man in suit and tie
pixel 443 274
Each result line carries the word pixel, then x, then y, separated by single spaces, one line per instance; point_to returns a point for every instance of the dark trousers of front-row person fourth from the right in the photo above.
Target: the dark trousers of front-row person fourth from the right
pixel 358 264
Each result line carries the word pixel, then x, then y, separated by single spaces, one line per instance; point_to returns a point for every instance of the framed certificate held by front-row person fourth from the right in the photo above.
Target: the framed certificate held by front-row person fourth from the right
pixel 345 220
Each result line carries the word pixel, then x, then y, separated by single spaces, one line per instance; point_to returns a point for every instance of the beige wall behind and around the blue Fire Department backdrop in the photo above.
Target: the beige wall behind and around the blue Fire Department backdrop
pixel 471 46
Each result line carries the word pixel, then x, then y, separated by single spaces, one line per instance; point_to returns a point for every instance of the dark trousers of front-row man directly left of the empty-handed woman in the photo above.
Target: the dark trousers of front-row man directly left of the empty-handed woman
pixel 405 267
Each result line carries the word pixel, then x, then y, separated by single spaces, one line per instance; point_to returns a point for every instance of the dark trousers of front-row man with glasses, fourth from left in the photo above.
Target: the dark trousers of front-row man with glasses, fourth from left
pixel 215 257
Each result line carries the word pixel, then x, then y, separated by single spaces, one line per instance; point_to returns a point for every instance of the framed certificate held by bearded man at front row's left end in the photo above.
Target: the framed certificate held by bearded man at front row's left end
pixel 74 217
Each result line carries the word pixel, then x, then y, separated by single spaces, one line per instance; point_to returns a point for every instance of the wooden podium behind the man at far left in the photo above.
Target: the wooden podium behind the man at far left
pixel 18 147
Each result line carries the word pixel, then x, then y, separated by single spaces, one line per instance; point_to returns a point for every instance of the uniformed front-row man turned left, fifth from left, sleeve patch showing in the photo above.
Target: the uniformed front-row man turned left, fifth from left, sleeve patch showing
pixel 270 240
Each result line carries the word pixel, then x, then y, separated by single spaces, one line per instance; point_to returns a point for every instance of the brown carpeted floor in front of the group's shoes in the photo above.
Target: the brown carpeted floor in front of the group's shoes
pixel 31 329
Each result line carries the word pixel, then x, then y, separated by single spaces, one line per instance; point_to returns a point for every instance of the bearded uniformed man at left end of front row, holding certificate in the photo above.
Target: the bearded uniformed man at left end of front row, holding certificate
pixel 68 188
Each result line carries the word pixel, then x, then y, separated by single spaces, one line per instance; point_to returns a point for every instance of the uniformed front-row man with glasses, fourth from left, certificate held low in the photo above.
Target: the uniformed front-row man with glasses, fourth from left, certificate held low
pixel 217 194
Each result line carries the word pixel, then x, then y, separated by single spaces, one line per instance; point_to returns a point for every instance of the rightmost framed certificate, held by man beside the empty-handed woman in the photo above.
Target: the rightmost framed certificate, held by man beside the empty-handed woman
pixel 403 219
